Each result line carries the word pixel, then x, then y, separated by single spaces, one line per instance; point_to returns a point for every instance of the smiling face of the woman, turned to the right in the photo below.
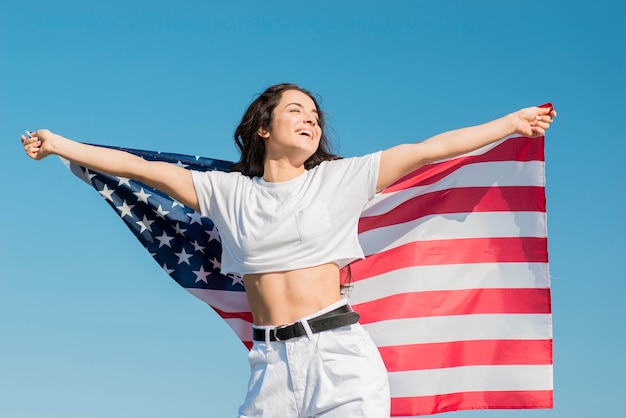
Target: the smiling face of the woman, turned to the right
pixel 295 132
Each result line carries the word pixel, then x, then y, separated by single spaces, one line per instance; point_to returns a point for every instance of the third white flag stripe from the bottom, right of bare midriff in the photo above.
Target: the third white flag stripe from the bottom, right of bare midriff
pixel 450 277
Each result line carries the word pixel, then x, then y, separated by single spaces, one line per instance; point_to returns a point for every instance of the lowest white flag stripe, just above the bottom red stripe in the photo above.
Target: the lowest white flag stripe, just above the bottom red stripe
pixel 470 379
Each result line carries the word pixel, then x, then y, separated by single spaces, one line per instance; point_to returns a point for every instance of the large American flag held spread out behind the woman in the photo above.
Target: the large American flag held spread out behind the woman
pixel 454 288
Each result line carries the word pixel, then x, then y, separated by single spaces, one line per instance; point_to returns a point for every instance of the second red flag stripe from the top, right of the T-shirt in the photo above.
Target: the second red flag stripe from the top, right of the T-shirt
pixel 461 200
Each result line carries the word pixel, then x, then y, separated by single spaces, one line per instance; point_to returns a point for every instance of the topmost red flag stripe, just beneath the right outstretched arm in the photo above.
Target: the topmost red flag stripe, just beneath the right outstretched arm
pixel 515 149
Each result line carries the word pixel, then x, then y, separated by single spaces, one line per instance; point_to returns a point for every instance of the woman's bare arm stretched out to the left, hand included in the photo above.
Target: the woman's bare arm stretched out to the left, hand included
pixel 169 178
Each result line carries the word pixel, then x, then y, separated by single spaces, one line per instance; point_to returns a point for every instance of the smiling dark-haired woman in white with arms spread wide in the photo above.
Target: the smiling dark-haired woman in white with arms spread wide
pixel 287 215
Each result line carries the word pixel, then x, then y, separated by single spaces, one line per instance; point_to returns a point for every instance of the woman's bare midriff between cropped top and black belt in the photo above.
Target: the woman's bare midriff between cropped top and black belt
pixel 284 297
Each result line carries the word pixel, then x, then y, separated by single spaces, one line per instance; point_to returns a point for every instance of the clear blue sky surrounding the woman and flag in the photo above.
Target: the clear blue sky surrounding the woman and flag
pixel 91 327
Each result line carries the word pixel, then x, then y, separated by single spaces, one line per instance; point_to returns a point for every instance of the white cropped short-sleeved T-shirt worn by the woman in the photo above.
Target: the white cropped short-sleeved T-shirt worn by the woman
pixel 304 222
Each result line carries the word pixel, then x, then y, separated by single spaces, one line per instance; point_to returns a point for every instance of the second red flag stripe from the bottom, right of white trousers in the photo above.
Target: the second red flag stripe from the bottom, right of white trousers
pixel 466 353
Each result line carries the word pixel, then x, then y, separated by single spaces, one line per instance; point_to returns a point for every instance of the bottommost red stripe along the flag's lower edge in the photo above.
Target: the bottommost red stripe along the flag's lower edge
pixel 425 405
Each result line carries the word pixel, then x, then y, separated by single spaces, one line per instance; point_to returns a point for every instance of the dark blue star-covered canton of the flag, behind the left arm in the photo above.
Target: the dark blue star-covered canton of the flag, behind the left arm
pixel 184 243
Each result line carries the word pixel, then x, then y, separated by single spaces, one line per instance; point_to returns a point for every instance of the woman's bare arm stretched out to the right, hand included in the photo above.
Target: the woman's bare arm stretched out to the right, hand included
pixel 400 160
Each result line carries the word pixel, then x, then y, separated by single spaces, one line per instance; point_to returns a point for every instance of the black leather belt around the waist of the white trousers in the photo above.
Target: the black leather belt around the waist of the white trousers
pixel 330 320
